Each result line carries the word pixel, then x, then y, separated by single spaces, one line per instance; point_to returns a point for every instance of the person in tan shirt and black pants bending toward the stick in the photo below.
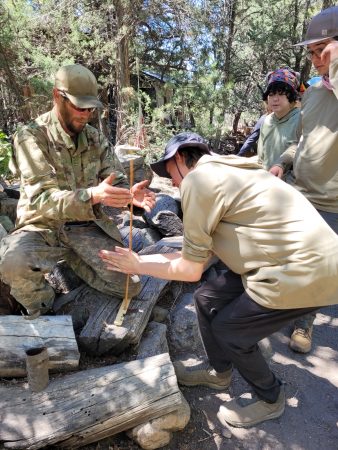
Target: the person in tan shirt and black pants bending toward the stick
pixel 267 235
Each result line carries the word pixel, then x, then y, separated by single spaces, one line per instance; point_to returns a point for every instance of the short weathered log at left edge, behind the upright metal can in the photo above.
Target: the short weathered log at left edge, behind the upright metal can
pixel 18 335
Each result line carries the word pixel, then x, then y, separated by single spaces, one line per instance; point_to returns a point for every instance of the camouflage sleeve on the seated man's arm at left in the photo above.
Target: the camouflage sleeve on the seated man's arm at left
pixel 40 184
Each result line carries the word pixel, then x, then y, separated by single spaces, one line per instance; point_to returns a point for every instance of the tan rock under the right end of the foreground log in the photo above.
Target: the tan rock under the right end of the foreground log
pixel 158 432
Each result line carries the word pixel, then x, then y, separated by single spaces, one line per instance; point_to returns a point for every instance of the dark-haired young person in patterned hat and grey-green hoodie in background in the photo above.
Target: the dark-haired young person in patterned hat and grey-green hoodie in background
pixel 281 128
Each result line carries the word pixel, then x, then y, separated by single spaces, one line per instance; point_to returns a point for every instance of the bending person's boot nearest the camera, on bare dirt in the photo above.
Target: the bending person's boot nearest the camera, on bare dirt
pixel 244 412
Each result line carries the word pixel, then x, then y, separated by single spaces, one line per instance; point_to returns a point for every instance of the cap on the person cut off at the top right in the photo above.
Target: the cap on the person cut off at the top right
pixel 322 26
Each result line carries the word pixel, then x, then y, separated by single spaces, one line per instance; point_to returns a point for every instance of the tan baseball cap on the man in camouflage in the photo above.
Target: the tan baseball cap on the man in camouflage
pixel 79 85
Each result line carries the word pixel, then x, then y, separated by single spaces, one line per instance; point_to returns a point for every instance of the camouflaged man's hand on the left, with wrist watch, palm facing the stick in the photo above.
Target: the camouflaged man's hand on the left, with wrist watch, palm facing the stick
pixel 110 195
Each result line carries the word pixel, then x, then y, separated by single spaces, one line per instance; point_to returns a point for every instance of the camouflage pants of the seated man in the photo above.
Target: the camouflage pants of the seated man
pixel 26 256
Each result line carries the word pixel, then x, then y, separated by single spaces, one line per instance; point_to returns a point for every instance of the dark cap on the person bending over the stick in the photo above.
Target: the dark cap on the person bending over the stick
pixel 181 140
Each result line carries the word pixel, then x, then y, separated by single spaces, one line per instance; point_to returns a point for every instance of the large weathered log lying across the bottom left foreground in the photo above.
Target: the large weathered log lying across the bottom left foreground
pixel 87 406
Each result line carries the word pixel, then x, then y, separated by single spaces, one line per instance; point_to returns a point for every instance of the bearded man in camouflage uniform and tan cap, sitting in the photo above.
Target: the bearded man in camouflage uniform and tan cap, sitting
pixel 67 174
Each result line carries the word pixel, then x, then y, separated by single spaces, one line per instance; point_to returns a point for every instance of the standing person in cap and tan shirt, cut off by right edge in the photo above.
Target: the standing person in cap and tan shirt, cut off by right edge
pixel 315 159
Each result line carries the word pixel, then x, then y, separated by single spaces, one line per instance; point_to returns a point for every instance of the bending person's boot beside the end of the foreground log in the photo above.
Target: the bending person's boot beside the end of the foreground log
pixel 201 374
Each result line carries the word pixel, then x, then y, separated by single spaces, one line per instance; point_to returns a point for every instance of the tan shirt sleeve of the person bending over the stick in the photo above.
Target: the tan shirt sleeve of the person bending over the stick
pixel 203 208
